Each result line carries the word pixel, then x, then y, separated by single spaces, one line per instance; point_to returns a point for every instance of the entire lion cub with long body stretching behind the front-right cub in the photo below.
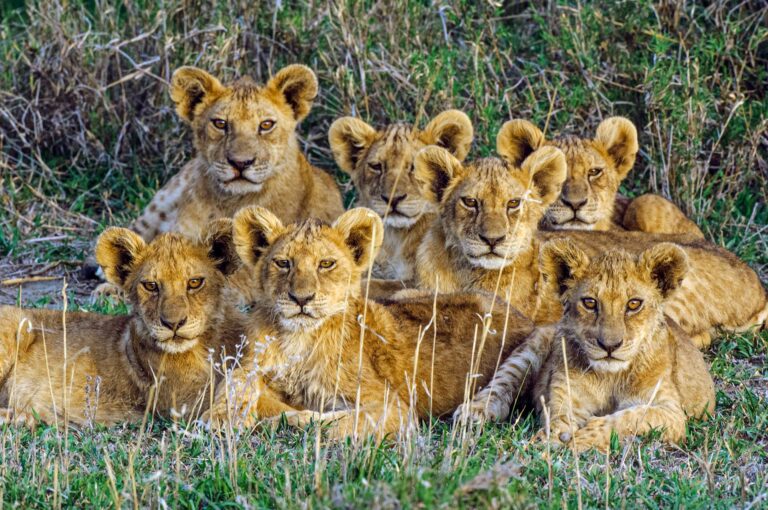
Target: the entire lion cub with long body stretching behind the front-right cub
pixel 720 290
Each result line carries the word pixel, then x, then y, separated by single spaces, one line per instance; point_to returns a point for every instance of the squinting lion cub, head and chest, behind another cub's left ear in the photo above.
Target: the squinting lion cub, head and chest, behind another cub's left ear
pixel 380 163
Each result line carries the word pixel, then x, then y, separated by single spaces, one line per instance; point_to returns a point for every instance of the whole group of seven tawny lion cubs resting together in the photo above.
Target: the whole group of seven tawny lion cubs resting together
pixel 518 274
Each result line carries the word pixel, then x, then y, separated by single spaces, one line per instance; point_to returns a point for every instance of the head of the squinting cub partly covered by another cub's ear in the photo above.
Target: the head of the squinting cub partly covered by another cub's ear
pixel 381 162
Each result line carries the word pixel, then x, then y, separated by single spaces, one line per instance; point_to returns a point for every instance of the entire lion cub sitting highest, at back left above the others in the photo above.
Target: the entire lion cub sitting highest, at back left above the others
pixel 247 153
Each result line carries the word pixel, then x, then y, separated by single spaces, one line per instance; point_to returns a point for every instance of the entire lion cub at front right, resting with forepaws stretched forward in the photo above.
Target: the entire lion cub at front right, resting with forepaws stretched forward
pixel 614 362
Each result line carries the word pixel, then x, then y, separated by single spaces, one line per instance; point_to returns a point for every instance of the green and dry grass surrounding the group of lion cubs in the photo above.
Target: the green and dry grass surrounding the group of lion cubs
pixel 88 133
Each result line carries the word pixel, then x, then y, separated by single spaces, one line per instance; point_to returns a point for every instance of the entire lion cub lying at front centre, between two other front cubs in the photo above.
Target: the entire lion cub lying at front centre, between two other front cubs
pixel 321 351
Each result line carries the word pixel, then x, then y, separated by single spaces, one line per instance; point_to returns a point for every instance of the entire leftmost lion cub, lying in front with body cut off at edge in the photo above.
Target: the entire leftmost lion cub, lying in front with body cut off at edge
pixel 92 368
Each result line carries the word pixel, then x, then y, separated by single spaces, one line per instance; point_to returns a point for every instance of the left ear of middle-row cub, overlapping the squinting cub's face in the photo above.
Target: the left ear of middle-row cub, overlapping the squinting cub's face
pixel 435 169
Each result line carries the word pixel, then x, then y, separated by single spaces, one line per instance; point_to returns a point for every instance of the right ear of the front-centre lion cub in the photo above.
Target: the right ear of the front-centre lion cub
pixel 363 232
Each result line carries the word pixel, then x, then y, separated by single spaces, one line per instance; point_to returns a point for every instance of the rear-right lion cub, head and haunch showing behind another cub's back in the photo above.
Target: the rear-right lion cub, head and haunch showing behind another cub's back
pixel 596 167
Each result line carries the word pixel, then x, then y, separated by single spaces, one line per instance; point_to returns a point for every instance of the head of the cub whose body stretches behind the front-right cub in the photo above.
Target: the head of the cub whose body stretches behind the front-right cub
pixel 489 208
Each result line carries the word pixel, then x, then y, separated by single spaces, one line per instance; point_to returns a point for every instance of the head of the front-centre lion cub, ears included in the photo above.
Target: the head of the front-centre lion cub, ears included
pixel 307 271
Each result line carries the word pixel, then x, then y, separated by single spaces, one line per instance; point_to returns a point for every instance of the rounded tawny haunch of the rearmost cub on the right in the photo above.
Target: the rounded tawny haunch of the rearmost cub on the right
pixel 655 214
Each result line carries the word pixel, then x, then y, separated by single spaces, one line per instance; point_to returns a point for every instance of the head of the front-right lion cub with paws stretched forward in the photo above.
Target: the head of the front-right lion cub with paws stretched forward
pixel 614 303
